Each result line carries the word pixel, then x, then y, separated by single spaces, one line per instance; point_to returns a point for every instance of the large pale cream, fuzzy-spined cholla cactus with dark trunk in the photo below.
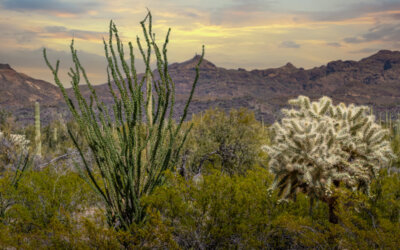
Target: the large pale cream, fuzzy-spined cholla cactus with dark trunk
pixel 320 146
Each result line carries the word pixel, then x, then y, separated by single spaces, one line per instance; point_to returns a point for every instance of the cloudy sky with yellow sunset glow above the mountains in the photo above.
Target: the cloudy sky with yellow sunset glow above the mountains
pixel 249 34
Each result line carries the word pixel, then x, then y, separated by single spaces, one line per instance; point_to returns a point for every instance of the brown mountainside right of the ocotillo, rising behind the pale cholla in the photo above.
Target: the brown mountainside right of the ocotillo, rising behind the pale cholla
pixel 374 80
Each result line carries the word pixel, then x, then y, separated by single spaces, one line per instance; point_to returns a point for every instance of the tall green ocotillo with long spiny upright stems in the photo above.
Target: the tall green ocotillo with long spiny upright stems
pixel 131 153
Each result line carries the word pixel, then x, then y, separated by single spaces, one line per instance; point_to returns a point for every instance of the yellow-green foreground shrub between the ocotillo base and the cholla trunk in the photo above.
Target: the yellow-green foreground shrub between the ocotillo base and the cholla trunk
pixel 221 211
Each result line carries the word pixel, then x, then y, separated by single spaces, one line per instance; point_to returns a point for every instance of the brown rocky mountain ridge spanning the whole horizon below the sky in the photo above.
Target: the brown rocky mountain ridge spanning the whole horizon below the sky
pixel 374 80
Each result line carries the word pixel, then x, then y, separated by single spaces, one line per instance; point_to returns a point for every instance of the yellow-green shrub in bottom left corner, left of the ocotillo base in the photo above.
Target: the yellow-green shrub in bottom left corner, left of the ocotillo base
pixel 47 211
